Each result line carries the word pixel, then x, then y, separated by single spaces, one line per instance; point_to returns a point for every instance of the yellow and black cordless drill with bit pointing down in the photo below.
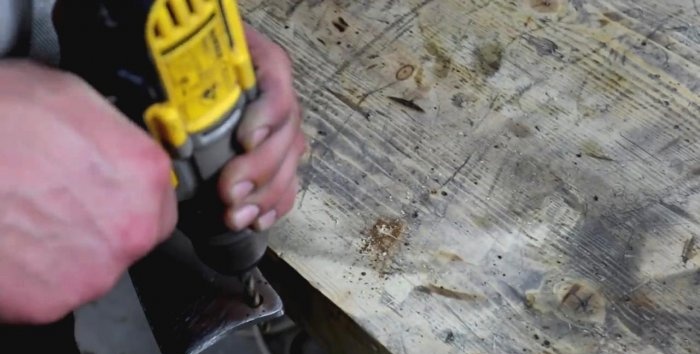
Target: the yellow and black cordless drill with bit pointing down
pixel 181 70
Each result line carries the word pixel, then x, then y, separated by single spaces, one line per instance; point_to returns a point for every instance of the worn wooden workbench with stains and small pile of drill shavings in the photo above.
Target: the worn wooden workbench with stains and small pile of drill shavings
pixel 496 176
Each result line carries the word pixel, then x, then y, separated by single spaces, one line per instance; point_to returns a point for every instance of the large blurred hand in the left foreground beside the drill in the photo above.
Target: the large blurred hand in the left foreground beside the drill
pixel 83 194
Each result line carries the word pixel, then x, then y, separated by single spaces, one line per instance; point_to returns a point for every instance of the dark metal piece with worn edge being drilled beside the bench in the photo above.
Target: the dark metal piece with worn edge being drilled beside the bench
pixel 189 307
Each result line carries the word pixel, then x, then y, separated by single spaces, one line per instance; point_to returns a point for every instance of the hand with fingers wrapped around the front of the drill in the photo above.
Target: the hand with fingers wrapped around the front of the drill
pixel 259 187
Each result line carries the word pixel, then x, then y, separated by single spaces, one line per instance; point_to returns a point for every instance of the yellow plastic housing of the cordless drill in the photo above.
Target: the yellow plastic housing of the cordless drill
pixel 201 56
